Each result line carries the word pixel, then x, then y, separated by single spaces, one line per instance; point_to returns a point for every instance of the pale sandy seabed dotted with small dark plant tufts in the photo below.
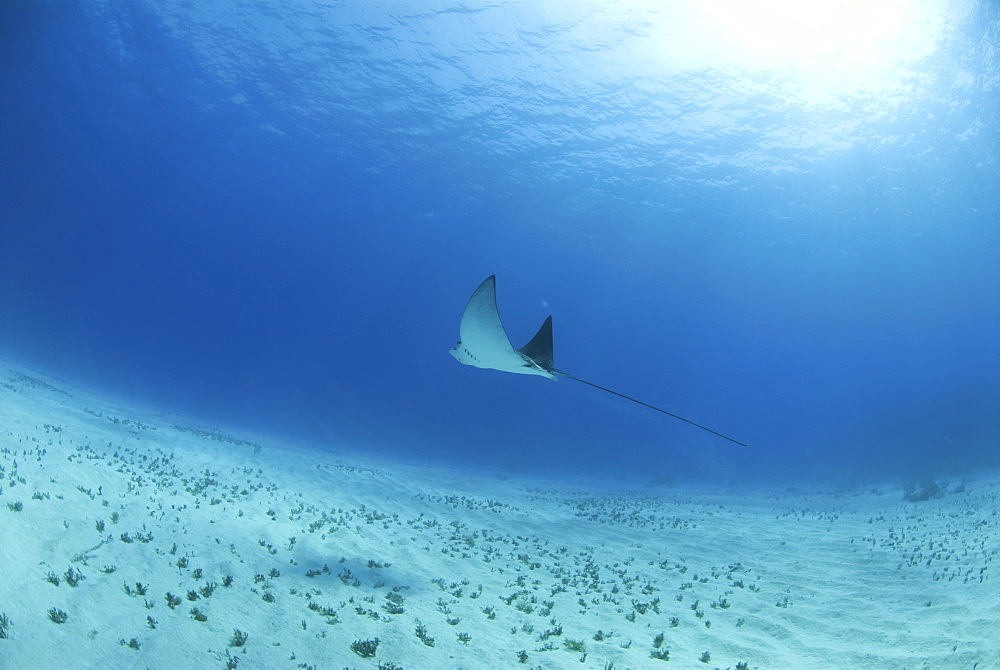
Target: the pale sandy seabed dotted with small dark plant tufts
pixel 131 539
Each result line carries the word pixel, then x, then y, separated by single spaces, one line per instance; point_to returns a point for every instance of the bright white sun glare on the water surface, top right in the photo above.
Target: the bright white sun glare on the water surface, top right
pixel 839 45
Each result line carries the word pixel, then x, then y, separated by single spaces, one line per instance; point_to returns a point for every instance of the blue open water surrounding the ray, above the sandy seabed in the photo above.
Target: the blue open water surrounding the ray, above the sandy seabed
pixel 271 214
